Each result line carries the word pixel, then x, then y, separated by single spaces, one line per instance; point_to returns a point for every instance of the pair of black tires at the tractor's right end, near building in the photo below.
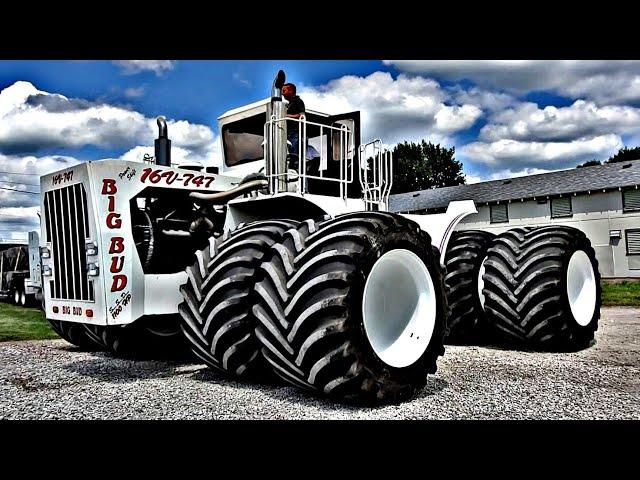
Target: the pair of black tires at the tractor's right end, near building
pixel 533 287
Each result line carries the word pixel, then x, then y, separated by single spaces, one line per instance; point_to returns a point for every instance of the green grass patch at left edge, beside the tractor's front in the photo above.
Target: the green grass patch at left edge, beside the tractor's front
pixel 17 323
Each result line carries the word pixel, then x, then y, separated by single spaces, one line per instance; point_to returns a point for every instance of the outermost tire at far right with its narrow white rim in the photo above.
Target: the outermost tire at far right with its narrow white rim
pixel 542 288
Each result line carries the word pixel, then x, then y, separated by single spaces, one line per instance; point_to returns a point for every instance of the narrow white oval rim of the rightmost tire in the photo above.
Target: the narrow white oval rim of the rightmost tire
pixel 581 288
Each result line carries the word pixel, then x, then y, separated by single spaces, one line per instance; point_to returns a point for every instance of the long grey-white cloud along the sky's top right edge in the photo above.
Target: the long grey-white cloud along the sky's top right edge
pixel 604 81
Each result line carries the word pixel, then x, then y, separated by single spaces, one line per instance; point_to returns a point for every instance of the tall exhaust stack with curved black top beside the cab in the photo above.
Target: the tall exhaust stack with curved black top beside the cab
pixel 277 153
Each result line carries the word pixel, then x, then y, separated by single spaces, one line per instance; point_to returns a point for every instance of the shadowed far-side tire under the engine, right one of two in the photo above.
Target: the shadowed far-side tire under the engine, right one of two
pixel 157 337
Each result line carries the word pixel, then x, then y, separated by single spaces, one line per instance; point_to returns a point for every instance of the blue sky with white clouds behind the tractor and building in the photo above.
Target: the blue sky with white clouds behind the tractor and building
pixel 505 118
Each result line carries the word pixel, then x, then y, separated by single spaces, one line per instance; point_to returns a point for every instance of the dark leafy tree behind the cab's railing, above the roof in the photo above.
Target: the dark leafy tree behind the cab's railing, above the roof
pixel 424 165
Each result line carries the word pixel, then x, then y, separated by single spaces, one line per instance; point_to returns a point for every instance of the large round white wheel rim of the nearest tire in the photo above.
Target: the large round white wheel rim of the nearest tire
pixel 399 308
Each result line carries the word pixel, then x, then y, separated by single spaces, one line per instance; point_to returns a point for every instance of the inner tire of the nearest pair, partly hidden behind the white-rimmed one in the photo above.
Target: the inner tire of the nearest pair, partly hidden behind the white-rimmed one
pixel 217 310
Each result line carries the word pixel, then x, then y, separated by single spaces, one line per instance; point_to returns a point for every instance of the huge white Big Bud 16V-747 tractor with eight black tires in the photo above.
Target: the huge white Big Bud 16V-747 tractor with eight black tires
pixel 289 262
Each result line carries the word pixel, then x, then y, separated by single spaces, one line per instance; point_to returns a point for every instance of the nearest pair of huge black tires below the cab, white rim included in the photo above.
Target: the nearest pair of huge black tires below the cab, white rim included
pixel 352 307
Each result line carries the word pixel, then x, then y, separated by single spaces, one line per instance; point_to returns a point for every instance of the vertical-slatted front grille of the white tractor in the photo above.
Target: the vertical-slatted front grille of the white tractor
pixel 67 228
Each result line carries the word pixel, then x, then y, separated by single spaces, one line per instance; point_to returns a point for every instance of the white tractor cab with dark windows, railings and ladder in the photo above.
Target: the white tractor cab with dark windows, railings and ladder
pixel 259 139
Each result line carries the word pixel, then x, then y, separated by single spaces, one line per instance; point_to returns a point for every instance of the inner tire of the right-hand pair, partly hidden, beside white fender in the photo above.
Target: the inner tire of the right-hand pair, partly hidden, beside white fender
pixel 463 261
